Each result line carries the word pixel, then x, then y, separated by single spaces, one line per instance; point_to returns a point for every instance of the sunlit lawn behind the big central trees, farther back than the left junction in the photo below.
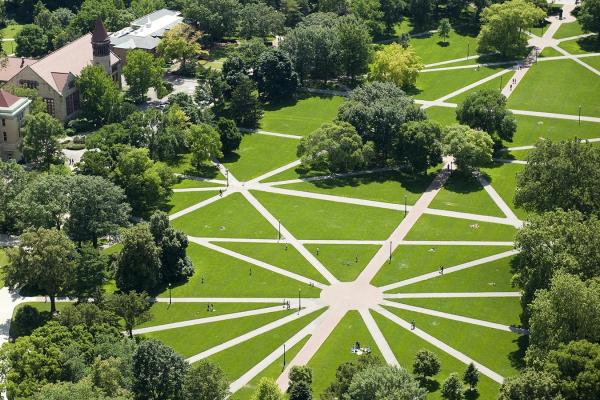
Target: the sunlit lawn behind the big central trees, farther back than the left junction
pixel 300 117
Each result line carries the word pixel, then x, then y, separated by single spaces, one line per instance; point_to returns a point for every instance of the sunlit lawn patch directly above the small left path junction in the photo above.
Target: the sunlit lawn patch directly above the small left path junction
pixel 259 154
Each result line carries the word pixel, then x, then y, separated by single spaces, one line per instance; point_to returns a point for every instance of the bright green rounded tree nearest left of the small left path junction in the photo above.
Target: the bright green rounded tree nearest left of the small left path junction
pixel 147 184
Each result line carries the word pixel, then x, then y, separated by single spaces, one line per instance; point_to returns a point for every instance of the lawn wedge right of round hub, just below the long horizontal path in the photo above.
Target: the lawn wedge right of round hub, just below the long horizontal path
pixel 409 261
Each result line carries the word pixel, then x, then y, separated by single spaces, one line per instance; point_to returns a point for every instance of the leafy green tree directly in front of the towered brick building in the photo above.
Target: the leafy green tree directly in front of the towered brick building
pixel 100 98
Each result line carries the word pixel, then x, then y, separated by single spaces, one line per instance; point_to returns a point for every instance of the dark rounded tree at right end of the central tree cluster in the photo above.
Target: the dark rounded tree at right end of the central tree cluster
pixel 419 145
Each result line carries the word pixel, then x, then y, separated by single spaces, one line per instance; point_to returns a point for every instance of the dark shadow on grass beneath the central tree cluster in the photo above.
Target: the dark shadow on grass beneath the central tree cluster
pixel 412 183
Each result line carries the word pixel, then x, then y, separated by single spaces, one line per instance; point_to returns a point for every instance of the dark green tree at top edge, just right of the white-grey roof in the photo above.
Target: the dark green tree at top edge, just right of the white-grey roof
pixel 216 18
